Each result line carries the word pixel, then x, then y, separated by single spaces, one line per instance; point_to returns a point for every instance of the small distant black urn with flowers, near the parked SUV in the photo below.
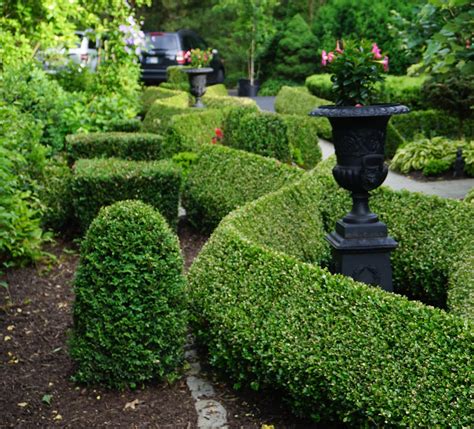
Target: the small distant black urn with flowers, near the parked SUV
pixel 199 61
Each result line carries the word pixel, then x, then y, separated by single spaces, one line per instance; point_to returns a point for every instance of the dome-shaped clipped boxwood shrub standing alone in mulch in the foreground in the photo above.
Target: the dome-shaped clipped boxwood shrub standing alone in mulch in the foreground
pixel 129 314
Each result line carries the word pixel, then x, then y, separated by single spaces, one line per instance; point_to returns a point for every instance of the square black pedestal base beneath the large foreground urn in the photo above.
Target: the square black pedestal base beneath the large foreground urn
pixel 362 251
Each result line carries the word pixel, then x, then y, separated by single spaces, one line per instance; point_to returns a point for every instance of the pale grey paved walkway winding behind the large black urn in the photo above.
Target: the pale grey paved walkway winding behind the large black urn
pixel 443 188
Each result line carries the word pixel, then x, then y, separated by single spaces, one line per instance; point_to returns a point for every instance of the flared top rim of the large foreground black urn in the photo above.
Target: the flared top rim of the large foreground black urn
pixel 361 111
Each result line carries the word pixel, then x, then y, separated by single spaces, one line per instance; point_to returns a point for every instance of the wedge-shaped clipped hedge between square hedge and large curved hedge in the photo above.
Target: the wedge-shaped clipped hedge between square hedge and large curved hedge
pixel 223 178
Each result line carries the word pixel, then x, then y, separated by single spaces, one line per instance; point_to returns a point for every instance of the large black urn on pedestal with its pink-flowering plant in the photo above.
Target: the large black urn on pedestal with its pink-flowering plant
pixel 361 247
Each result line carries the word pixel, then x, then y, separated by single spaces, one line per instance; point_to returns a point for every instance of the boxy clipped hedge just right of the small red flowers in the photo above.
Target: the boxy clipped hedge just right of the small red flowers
pixel 288 138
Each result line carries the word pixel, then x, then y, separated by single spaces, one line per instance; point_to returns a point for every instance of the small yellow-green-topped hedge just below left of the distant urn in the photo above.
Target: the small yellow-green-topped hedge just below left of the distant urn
pixel 161 111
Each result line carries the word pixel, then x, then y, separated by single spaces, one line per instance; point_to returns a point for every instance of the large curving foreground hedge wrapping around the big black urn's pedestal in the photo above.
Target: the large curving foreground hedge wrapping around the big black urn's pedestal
pixel 271 316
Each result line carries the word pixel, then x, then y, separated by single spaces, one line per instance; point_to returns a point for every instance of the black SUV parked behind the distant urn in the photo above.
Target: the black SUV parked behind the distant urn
pixel 168 49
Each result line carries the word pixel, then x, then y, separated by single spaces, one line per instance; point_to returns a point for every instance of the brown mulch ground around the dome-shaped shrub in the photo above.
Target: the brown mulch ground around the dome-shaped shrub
pixel 35 369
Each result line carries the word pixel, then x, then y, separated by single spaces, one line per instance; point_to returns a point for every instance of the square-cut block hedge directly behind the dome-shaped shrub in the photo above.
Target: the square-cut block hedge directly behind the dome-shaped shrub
pixel 100 182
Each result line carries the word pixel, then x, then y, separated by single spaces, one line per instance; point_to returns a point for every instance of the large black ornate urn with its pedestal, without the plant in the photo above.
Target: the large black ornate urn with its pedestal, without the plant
pixel 361 246
